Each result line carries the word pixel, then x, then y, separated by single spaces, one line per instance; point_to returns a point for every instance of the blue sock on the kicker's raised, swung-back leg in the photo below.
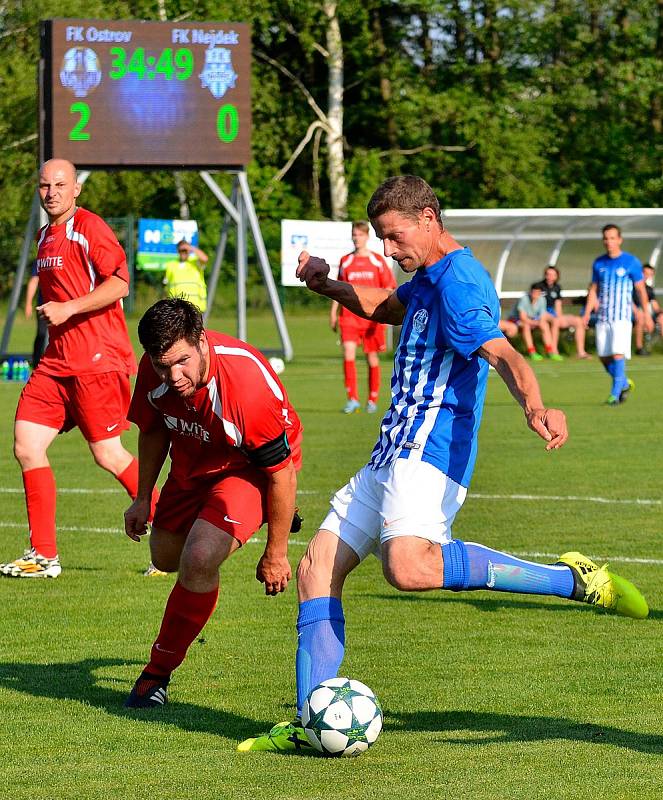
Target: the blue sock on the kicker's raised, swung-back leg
pixel 473 566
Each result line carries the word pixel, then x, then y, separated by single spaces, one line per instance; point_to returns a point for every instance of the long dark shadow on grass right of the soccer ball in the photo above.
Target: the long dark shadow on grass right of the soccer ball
pixel 508 728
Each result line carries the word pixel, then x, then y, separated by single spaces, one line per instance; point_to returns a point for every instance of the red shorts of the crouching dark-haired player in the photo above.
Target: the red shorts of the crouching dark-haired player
pixel 234 503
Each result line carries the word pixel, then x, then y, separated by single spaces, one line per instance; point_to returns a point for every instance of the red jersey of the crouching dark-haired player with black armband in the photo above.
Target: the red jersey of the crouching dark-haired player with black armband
pixel 242 407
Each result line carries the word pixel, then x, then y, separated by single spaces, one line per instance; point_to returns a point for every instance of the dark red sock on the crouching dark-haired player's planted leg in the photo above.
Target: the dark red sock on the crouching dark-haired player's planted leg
pixel 185 616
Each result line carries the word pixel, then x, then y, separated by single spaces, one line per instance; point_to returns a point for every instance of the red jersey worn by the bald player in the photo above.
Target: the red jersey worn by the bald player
pixel 73 259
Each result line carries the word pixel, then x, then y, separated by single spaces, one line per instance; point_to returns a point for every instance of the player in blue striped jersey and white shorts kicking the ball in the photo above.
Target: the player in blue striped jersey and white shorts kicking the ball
pixel 402 504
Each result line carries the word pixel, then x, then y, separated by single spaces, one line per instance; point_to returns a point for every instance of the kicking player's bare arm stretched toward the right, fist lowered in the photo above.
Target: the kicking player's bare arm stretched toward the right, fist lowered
pixel 548 423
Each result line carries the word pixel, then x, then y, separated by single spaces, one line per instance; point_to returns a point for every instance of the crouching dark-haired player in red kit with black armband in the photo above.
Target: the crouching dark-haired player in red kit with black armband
pixel 215 404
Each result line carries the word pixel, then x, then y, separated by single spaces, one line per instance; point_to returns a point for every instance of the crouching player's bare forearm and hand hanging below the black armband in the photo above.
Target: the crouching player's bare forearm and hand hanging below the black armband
pixel 274 568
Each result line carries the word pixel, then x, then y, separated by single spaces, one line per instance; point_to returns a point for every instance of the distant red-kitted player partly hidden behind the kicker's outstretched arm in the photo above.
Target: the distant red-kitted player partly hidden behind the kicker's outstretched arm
pixel 362 267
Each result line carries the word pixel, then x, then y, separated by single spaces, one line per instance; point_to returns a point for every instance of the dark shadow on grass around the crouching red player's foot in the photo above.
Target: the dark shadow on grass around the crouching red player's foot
pixel 77 681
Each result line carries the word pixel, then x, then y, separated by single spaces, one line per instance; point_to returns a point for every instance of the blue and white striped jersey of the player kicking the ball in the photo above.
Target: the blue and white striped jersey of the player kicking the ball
pixel 439 383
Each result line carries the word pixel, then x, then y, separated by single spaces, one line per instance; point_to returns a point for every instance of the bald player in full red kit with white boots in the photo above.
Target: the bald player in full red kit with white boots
pixel 83 378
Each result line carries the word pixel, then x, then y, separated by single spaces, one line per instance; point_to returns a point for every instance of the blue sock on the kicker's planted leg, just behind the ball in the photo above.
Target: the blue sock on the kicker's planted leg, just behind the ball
pixel 321 644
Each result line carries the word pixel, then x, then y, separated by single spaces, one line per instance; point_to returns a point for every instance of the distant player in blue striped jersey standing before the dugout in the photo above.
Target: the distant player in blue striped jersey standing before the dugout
pixel 614 277
